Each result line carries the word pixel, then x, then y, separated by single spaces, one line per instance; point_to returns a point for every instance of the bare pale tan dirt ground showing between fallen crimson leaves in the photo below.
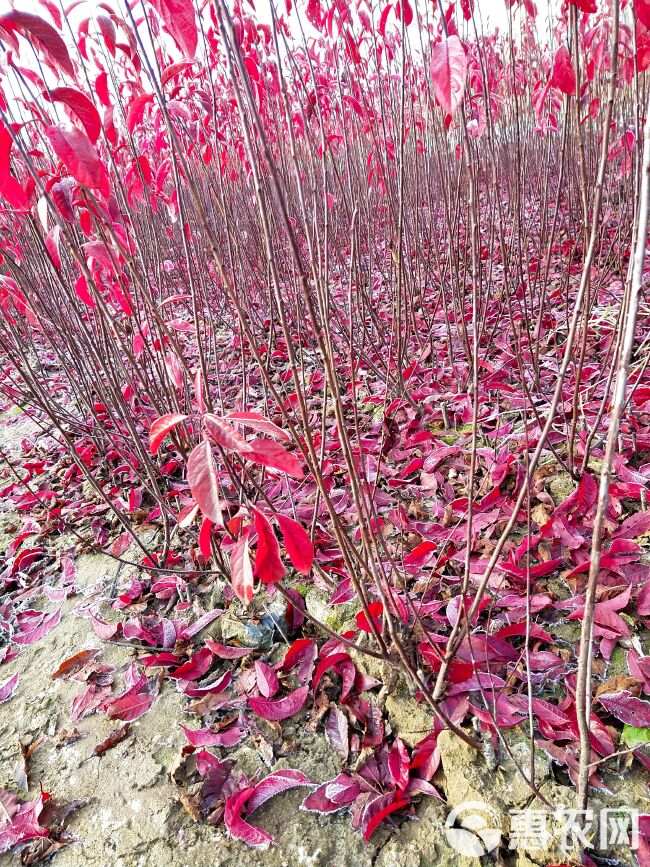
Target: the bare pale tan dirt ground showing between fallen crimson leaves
pixel 132 815
